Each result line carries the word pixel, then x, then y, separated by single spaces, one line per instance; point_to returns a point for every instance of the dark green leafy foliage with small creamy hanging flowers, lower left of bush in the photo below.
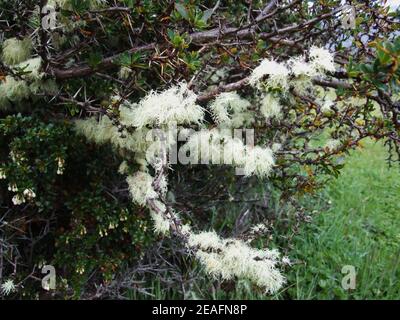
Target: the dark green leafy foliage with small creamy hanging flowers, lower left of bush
pixel 63 224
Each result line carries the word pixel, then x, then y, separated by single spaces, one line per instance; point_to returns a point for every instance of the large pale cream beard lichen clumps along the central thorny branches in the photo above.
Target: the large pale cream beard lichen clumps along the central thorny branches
pixel 222 258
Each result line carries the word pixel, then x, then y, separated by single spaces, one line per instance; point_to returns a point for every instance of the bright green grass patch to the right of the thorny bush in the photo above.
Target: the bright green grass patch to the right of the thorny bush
pixel 361 228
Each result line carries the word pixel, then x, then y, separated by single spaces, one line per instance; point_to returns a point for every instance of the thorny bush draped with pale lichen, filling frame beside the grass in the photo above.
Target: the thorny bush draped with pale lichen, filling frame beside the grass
pixel 86 84
